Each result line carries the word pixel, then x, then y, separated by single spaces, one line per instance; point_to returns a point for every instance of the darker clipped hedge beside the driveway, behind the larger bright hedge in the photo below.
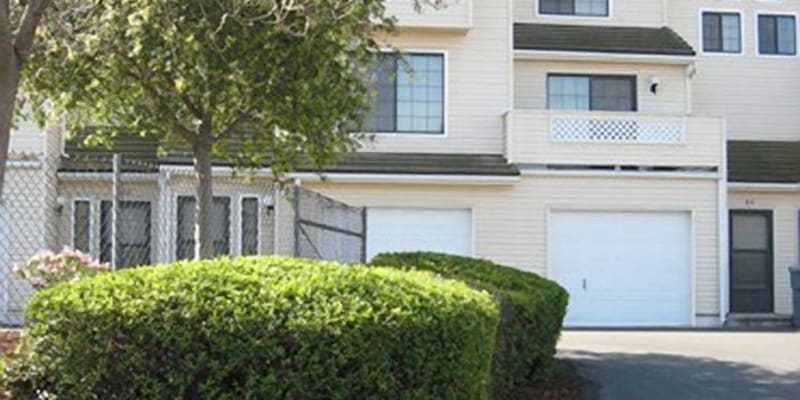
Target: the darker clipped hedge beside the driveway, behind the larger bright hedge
pixel 533 310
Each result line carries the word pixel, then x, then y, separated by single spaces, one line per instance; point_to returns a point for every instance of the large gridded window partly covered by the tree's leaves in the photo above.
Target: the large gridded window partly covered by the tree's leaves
pixel 409 95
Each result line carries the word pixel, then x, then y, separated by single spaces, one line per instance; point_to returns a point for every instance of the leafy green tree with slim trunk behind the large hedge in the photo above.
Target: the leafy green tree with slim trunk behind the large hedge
pixel 245 81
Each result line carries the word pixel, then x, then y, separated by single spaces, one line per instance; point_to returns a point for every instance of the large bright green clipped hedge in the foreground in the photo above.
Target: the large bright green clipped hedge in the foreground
pixel 258 328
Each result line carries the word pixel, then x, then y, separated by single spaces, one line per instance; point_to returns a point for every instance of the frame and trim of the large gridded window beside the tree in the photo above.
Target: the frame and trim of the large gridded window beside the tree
pixel 397 63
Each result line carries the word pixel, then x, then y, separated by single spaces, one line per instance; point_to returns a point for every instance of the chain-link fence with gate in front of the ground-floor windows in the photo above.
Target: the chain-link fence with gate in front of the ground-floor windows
pixel 130 212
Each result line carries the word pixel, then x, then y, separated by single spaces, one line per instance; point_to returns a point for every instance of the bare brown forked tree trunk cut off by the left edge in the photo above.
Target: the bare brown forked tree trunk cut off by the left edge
pixel 19 20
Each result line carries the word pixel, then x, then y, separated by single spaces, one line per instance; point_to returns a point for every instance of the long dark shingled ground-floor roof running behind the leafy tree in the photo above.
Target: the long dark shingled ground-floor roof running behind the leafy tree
pixel 141 155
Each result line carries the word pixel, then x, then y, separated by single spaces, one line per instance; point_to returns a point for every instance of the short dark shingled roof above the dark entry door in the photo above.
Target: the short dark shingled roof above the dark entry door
pixel 764 161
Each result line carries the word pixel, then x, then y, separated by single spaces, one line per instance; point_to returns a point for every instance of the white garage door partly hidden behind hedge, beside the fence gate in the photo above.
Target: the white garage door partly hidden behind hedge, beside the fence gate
pixel 402 229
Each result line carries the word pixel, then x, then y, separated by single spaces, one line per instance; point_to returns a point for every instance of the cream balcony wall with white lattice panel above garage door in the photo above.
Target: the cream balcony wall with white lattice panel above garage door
pixel 607 138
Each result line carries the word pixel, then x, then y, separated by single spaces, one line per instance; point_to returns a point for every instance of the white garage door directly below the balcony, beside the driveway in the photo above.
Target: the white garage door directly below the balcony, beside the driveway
pixel 623 269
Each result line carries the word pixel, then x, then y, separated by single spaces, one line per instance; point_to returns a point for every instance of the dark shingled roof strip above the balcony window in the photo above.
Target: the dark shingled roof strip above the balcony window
pixel 605 39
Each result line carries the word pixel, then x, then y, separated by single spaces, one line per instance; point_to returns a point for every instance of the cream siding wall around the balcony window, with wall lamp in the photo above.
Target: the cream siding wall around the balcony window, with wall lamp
pixel 530 83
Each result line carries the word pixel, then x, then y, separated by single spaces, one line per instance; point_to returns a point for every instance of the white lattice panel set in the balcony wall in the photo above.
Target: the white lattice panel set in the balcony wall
pixel 617 129
